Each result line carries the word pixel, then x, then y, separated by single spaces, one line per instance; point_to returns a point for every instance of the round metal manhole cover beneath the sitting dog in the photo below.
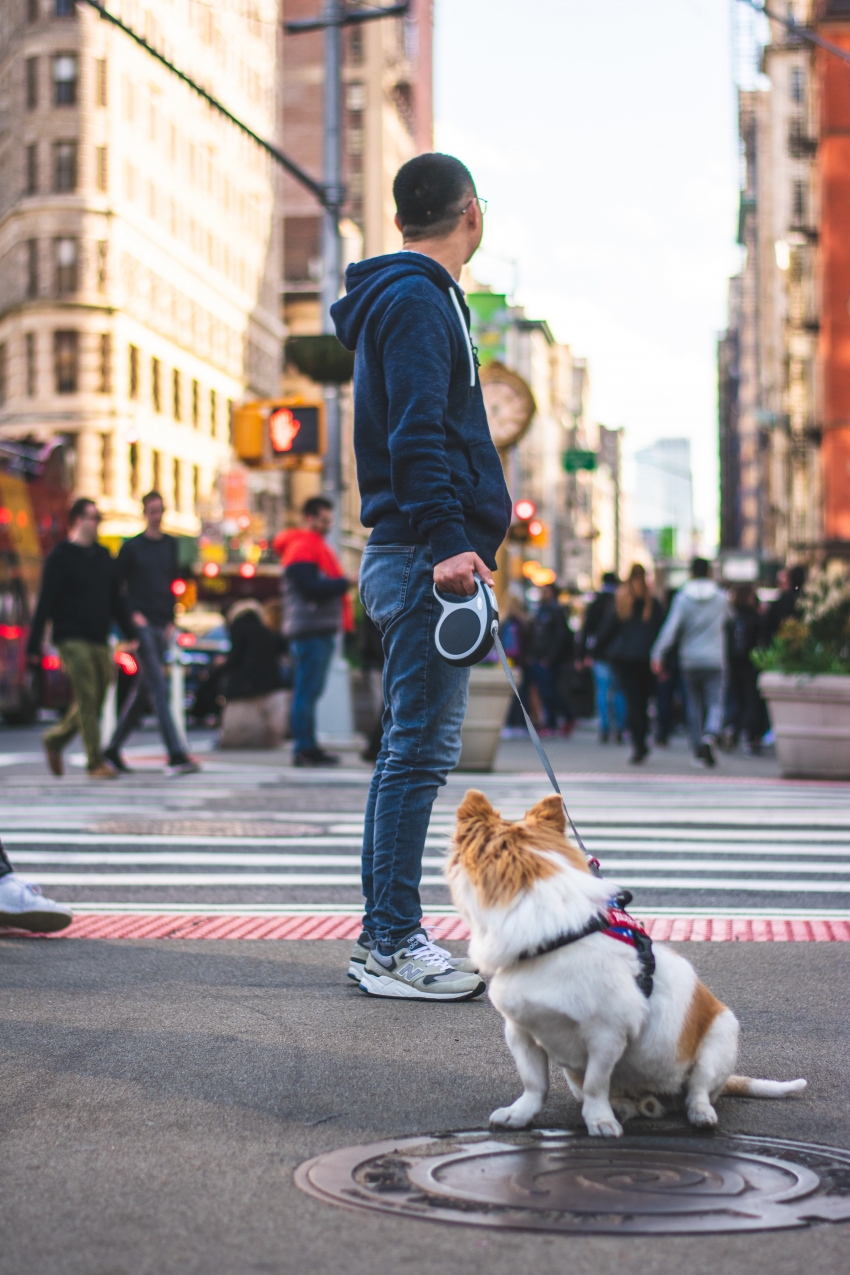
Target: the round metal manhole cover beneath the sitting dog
pixel 560 1181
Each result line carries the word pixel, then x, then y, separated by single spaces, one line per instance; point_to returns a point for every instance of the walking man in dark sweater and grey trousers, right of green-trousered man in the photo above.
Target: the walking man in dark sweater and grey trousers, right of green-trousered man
pixel 147 569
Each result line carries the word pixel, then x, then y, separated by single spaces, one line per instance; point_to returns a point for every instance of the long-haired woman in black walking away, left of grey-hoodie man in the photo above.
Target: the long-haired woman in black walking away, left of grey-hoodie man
pixel 629 634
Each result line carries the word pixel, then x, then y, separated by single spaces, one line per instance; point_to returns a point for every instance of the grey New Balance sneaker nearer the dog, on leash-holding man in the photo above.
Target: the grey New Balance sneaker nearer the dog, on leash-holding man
pixel 419 972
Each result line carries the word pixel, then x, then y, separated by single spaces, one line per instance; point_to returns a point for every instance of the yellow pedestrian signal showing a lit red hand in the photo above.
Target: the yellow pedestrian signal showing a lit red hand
pixel 278 433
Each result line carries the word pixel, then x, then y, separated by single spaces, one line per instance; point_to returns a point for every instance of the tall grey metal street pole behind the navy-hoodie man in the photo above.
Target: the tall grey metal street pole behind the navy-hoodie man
pixel 332 254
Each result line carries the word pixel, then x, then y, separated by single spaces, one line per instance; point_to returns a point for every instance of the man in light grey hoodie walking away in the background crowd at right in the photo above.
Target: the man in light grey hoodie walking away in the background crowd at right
pixel 696 622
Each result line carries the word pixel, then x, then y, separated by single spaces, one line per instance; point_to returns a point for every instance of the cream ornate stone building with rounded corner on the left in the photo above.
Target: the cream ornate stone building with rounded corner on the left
pixel 141 243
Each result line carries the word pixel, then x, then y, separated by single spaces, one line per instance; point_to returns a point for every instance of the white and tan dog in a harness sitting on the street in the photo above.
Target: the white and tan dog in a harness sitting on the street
pixel 629 1023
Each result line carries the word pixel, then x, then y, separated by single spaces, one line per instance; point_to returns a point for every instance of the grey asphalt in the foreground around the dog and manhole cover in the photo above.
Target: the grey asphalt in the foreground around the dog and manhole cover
pixel 157 1097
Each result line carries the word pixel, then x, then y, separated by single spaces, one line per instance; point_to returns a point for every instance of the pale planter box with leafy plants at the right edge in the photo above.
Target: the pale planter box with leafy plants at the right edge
pixel 811 718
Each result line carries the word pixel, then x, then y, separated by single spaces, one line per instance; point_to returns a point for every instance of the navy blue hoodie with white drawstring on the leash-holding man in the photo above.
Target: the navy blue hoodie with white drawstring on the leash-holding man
pixel 426 465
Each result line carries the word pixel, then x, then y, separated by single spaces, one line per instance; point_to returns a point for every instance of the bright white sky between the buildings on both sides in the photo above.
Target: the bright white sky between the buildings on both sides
pixel 605 138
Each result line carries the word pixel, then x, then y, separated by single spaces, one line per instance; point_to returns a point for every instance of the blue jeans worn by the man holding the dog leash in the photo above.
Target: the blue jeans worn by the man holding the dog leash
pixel 425 707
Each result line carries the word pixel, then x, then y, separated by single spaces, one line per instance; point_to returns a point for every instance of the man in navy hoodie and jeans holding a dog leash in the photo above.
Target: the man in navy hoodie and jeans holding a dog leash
pixel 433 489
